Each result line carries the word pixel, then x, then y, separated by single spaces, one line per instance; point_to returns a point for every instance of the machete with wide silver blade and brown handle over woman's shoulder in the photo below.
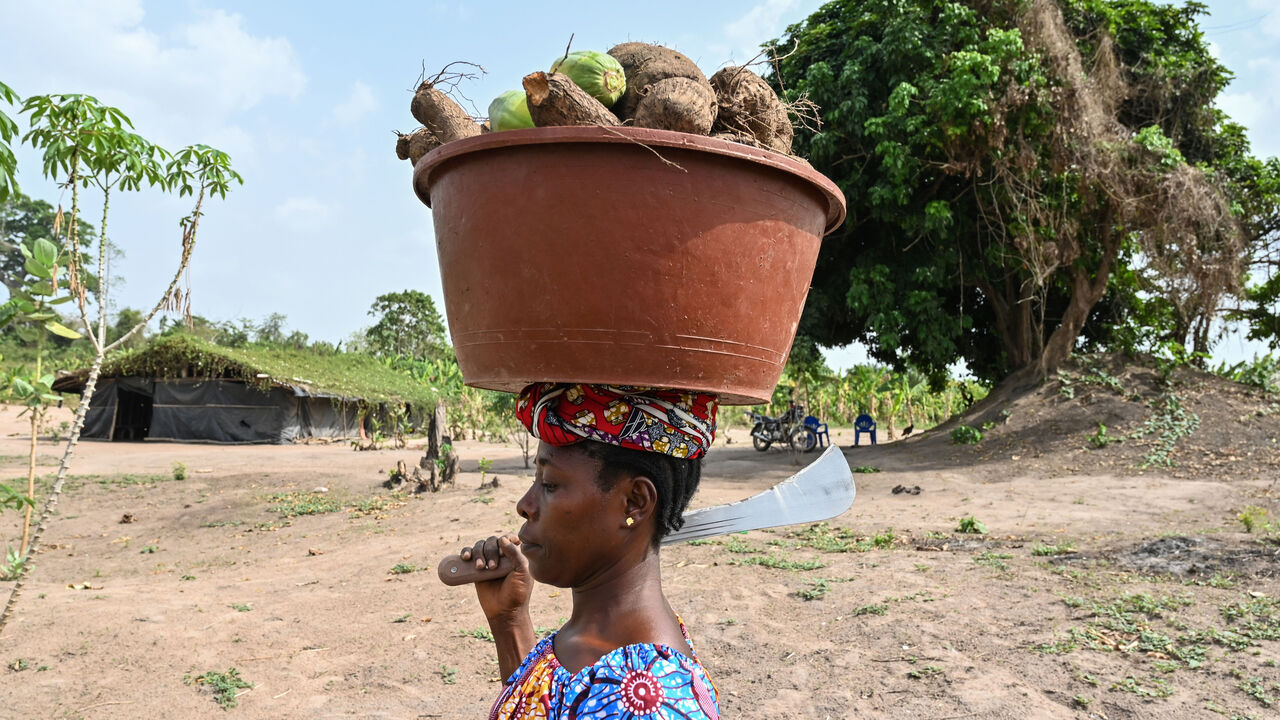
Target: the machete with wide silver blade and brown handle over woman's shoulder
pixel 822 490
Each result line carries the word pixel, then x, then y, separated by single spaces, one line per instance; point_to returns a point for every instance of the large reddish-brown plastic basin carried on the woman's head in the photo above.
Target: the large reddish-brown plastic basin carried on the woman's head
pixel 624 256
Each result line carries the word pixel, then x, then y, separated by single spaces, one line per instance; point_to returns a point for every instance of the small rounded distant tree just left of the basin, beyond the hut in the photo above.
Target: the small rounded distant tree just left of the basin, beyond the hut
pixel 409 325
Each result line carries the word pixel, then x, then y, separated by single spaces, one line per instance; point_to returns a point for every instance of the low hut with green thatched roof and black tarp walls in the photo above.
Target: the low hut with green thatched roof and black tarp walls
pixel 182 389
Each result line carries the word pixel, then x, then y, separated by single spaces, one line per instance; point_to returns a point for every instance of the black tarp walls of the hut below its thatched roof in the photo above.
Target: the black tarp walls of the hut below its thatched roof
pixel 222 412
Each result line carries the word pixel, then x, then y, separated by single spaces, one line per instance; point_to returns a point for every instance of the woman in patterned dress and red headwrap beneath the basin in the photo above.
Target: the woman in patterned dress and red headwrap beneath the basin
pixel 616 468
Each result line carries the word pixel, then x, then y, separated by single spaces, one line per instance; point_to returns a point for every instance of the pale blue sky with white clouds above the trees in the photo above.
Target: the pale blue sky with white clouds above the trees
pixel 307 98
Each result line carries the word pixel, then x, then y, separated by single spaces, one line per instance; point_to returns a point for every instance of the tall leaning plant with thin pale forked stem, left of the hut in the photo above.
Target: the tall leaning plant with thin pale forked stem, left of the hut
pixel 90 147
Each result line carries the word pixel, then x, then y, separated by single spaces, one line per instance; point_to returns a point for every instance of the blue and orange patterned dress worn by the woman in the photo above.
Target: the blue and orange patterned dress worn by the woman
pixel 651 682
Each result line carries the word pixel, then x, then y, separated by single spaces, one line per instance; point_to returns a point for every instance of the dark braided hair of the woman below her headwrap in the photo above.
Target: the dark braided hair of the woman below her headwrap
pixel 675 479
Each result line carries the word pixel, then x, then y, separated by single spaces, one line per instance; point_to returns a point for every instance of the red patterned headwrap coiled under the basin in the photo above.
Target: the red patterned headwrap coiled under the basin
pixel 673 422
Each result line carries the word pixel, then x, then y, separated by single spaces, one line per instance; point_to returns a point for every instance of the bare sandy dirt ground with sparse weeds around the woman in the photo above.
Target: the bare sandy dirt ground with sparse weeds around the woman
pixel 1101 589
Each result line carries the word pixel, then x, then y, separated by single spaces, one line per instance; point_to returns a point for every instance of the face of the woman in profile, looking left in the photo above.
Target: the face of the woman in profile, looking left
pixel 573 528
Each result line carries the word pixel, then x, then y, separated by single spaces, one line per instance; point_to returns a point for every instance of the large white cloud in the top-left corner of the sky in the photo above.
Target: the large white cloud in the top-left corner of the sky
pixel 179 86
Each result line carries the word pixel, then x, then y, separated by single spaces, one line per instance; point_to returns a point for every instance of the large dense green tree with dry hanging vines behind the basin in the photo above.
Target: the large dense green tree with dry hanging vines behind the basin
pixel 1021 175
